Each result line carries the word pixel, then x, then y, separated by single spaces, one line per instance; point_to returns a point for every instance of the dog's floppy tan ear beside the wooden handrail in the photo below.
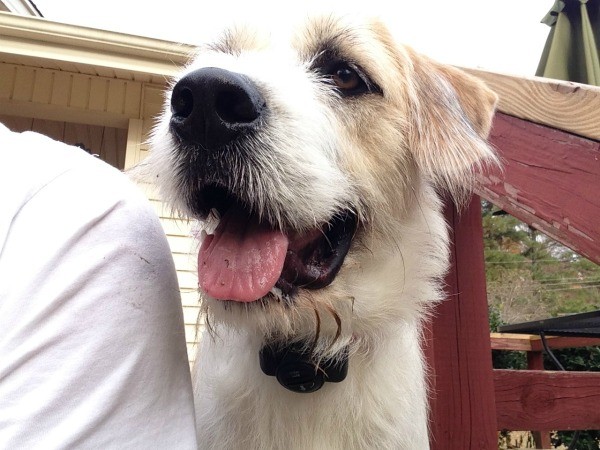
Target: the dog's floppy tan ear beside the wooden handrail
pixel 452 117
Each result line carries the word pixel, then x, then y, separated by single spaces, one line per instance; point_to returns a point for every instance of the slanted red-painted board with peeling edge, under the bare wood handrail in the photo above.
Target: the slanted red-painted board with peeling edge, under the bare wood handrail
pixel 551 180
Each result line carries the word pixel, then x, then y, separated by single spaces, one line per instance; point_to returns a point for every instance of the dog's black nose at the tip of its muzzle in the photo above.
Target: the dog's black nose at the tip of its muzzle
pixel 212 107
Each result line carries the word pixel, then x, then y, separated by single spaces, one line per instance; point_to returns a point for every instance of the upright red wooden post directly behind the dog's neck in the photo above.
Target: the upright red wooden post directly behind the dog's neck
pixel 463 411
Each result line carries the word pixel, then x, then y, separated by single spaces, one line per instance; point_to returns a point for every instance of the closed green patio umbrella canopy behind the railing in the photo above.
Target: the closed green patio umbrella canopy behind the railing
pixel 572 52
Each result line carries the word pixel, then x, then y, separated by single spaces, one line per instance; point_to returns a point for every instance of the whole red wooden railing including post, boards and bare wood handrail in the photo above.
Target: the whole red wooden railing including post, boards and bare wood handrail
pixel 551 180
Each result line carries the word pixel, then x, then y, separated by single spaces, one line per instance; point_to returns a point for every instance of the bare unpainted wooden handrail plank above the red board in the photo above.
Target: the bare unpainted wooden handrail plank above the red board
pixel 568 106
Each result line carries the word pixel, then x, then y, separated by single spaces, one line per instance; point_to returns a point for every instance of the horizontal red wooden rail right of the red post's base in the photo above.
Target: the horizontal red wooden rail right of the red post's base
pixel 534 400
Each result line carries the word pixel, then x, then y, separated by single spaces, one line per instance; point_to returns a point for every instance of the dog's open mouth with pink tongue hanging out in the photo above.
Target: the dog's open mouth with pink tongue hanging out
pixel 246 258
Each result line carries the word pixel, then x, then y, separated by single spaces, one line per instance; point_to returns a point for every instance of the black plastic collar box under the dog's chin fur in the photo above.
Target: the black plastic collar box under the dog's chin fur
pixel 297 370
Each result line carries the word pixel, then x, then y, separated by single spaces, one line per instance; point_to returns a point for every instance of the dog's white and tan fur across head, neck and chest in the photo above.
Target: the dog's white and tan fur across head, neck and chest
pixel 384 157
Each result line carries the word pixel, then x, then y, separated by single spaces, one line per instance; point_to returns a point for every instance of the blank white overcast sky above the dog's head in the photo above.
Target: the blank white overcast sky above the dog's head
pixel 491 34
